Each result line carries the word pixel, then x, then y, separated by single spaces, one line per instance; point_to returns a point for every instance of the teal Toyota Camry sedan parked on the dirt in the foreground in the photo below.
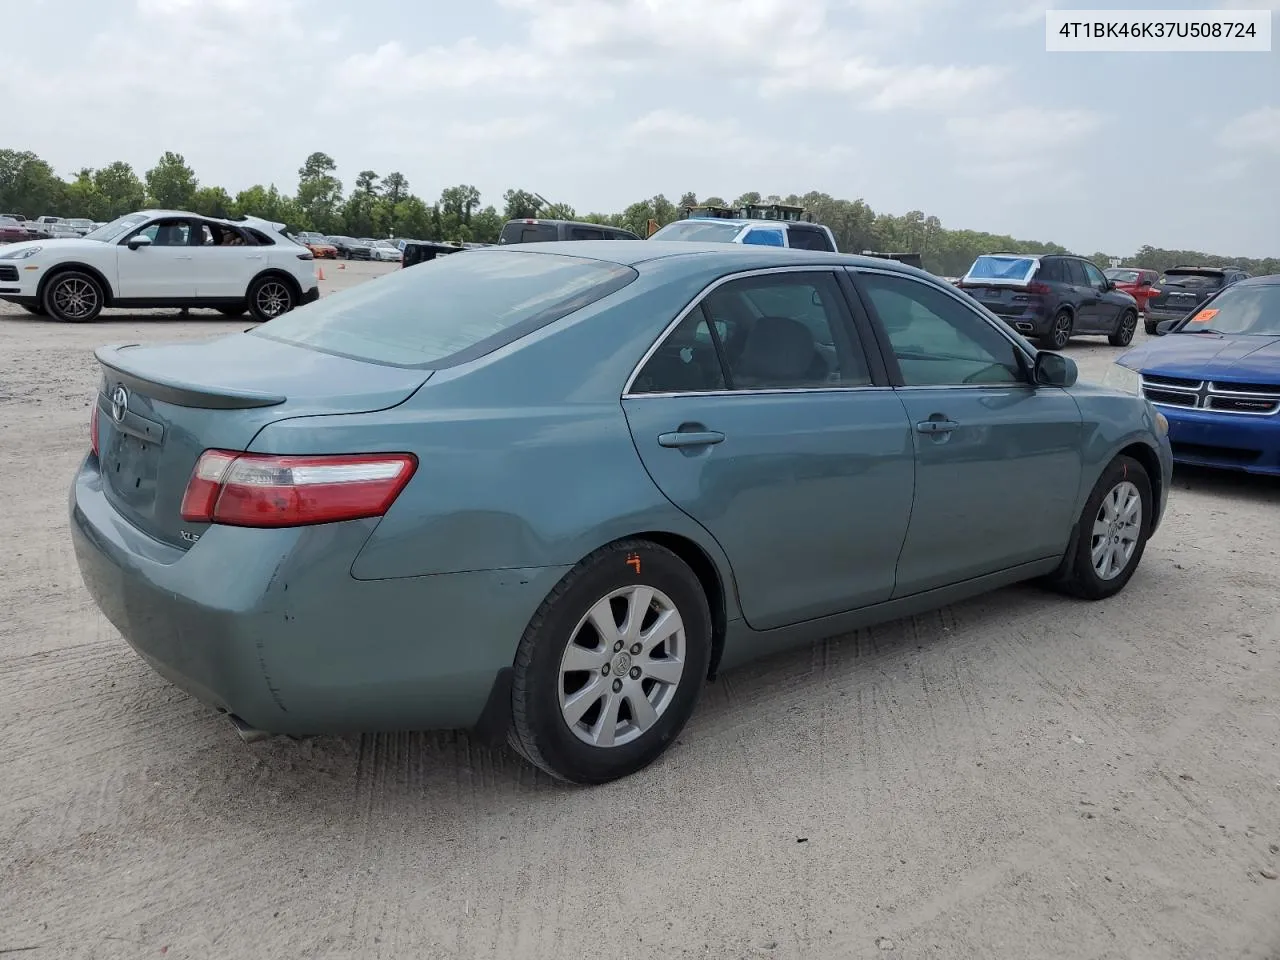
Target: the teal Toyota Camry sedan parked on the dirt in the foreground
pixel 547 492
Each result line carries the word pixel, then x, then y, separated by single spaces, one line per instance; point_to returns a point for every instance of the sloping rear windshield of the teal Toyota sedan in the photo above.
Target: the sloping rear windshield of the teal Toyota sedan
pixel 451 309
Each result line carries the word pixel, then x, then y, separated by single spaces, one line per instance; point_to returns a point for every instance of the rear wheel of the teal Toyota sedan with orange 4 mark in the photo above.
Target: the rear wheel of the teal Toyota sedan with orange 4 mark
pixel 574 715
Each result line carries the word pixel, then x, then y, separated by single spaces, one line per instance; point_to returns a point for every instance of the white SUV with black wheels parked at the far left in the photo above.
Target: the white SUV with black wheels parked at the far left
pixel 162 259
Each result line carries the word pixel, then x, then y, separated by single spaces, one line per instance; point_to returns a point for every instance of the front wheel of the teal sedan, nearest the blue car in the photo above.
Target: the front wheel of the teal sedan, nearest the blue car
pixel 1109 532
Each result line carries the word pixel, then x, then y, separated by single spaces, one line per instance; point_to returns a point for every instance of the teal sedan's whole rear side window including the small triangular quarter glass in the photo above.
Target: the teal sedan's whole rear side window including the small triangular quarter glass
pixel 774 332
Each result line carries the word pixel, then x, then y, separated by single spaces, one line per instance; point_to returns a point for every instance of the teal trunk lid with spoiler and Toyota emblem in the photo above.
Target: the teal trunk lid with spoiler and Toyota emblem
pixel 162 406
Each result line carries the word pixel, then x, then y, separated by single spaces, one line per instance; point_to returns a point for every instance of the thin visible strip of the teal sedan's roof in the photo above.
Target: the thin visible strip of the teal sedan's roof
pixel 710 254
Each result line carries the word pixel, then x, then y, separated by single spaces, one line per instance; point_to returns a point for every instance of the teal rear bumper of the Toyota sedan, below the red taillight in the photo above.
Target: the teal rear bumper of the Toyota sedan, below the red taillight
pixel 271 625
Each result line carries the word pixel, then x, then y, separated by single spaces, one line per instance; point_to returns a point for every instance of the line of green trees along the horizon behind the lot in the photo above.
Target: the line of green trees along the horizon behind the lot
pixel 385 207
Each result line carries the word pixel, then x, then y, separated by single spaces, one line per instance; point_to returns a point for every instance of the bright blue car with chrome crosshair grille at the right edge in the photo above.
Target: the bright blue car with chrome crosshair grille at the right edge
pixel 1217 378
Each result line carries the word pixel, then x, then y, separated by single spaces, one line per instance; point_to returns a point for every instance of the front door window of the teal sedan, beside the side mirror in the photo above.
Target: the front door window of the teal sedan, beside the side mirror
pixel 936 339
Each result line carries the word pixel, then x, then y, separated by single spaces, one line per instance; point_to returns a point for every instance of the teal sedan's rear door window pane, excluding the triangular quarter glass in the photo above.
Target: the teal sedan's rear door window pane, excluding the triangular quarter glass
pixel 787 331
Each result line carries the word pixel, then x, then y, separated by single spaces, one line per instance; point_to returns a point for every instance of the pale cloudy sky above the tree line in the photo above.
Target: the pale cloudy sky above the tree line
pixel 949 107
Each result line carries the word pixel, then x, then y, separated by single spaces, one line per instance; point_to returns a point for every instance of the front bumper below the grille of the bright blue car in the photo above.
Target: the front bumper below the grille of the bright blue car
pixel 1227 442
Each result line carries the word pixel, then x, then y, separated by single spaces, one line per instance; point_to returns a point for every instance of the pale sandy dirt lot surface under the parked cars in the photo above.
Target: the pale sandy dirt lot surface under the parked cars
pixel 1021 776
